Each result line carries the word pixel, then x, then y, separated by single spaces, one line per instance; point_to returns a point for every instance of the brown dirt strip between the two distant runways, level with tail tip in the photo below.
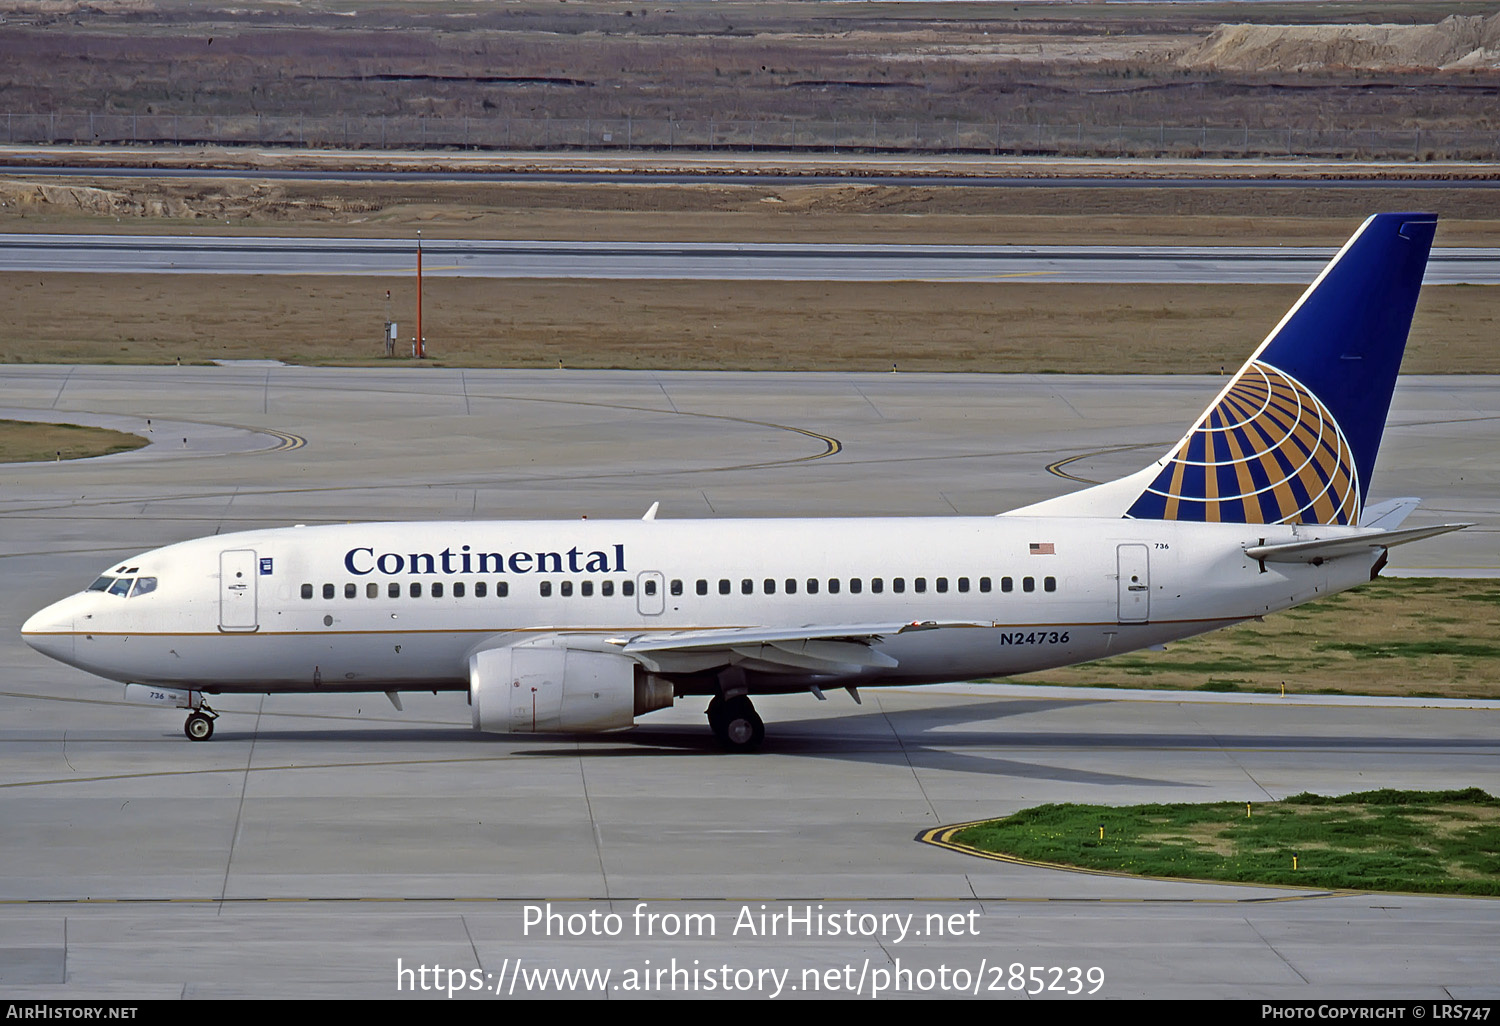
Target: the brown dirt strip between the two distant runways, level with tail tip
pixel 793 211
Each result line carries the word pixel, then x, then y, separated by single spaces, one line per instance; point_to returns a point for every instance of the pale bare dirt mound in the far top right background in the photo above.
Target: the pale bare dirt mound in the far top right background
pixel 1453 44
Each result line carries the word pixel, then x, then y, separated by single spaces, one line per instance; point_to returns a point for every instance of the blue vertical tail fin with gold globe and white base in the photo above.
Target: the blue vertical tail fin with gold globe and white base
pixel 1295 434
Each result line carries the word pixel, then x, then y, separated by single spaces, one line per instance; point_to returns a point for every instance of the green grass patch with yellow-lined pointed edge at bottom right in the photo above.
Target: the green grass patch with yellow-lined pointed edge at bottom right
pixel 1436 842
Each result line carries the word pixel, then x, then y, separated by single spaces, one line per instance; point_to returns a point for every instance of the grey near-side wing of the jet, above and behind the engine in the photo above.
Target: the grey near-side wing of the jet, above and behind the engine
pixel 815 649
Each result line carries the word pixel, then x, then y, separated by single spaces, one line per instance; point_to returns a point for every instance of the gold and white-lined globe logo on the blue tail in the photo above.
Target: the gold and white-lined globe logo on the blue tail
pixel 1267 454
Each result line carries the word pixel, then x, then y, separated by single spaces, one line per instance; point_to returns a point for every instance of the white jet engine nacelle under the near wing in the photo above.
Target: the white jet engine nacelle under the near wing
pixel 545 686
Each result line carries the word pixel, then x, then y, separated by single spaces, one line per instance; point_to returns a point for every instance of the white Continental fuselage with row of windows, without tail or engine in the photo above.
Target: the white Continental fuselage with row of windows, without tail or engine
pixel 404 607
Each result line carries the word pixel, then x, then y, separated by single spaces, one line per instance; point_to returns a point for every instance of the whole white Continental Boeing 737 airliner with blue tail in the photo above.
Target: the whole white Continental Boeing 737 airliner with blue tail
pixel 587 625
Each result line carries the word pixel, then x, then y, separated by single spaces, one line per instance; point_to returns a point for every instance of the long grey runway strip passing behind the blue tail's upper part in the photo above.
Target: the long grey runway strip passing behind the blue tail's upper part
pixel 716 262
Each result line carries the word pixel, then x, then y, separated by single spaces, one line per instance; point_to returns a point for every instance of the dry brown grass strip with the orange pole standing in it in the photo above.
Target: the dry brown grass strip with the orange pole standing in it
pixel 692 325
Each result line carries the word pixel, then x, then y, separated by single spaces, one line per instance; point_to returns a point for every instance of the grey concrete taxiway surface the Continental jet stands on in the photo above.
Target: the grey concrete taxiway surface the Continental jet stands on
pixel 317 841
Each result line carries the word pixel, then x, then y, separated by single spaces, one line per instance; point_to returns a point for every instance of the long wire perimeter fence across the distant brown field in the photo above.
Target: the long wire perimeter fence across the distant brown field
pixel 748 136
